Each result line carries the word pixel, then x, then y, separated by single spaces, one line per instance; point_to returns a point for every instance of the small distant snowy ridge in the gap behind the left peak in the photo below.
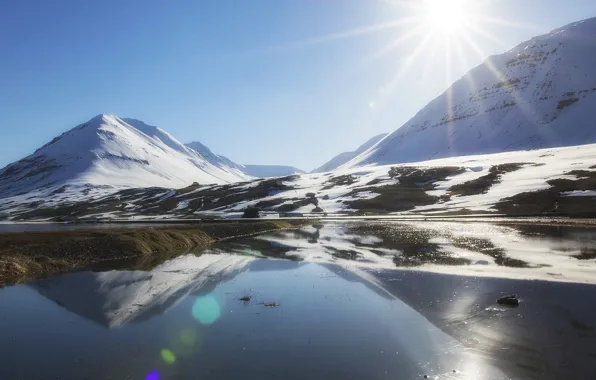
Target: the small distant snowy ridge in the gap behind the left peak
pixel 258 171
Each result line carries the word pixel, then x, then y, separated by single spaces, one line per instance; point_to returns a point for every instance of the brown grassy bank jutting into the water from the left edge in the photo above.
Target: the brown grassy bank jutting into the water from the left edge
pixel 36 254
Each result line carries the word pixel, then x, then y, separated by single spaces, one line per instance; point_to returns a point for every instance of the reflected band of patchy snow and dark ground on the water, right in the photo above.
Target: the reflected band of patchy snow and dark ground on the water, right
pixel 551 253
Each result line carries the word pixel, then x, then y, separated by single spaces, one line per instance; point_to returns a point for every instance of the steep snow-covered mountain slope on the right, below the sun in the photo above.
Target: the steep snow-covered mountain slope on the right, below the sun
pixel 540 94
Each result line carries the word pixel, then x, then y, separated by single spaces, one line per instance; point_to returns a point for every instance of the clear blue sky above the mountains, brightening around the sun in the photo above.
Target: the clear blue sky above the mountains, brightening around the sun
pixel 261 81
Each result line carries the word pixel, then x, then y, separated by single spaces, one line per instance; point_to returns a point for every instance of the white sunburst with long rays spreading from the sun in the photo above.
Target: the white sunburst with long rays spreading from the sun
pixel 453 31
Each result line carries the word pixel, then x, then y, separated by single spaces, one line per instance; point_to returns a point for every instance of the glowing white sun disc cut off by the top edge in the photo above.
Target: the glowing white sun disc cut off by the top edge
pixel 447 16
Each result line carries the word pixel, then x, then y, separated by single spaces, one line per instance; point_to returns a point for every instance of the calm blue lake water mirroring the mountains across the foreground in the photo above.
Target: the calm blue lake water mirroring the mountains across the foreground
pixel 359 301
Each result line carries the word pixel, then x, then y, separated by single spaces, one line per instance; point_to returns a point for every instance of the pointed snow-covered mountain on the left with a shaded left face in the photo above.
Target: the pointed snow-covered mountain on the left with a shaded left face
pixel 109 151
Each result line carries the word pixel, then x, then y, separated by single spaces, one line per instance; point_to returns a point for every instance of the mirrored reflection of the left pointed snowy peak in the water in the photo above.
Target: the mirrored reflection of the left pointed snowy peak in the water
pixel 115 298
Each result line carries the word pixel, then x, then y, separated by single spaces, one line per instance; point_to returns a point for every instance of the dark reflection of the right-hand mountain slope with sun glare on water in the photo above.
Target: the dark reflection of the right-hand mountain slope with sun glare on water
pixel 543 339
